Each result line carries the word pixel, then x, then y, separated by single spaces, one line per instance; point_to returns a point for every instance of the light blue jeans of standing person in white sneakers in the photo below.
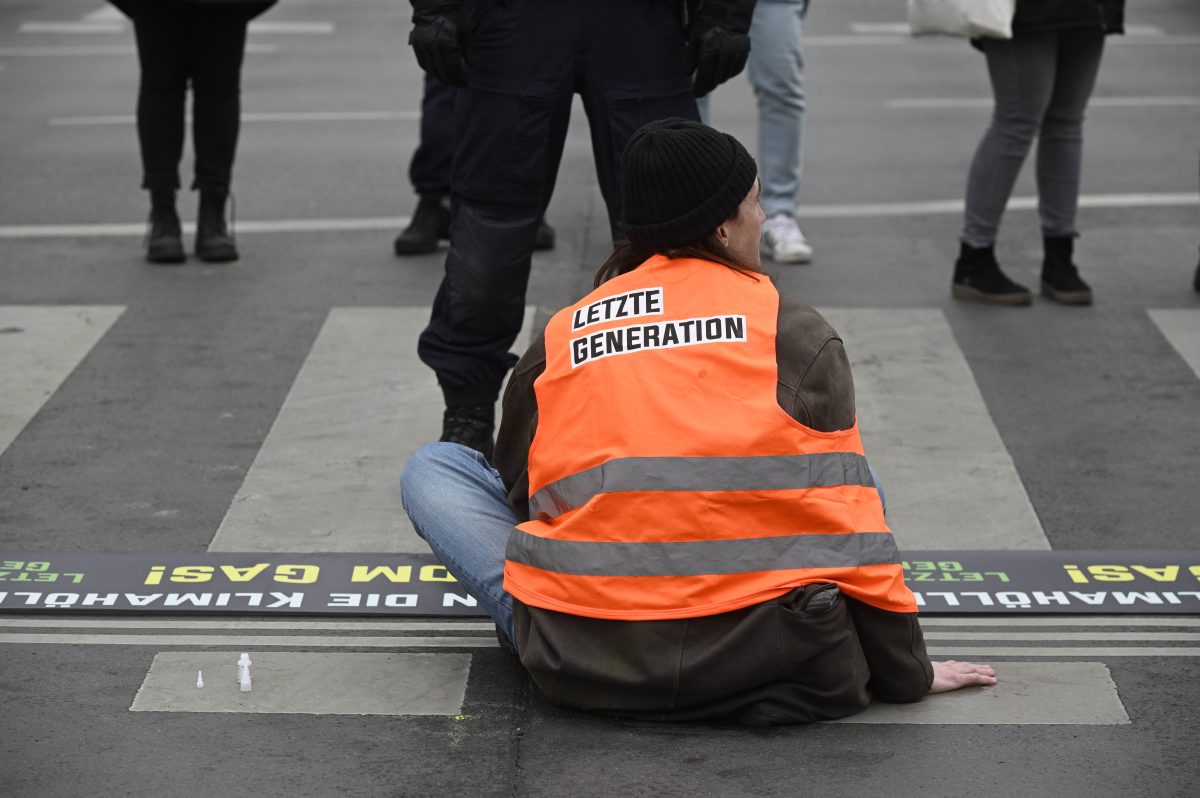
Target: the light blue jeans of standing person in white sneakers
pixel 777 74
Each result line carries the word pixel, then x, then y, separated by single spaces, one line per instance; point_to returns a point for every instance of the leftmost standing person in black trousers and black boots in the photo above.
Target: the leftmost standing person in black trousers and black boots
pixel 199 44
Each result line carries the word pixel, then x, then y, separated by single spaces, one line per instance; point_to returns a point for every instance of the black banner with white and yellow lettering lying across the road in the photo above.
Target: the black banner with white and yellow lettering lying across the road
pixel 995 583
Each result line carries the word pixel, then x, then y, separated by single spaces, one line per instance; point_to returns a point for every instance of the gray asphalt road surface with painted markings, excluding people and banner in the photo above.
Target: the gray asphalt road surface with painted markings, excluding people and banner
pixel 271 405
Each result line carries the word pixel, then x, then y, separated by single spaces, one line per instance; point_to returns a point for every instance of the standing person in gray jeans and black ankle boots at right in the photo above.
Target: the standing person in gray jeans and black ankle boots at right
pixel 1042 80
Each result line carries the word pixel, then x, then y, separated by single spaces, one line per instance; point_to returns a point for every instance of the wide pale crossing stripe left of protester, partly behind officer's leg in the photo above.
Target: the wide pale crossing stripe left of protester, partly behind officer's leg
pixel 327 478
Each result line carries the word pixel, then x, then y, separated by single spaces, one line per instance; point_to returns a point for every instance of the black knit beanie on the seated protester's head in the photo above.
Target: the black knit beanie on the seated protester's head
pixel 680 182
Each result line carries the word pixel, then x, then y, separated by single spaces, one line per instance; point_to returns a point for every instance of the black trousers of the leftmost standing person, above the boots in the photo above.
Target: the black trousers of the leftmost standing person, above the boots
pixel 197 44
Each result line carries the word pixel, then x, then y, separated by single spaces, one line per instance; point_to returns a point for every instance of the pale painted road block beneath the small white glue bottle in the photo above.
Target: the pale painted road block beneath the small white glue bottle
pixel 325 683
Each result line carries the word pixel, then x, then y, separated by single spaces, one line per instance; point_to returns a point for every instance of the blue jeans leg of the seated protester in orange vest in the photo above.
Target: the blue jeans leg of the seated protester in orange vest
pixel 459 506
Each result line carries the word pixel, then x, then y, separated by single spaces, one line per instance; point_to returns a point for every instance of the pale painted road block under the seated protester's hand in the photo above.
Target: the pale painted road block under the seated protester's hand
pixel 1069 694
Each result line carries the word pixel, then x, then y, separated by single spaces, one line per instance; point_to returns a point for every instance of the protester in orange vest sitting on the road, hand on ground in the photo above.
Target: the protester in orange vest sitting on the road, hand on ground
pixel 683 525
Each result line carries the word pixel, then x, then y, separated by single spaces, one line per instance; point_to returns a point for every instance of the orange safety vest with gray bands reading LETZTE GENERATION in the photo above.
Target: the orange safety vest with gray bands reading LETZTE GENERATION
pixel 667 482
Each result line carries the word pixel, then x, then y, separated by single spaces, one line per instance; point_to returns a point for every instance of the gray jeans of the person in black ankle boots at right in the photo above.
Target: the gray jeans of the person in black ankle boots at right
pixel 1042 83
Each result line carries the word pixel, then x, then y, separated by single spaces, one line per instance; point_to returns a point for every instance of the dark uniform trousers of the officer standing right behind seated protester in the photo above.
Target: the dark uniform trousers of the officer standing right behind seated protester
pixel 628 61
